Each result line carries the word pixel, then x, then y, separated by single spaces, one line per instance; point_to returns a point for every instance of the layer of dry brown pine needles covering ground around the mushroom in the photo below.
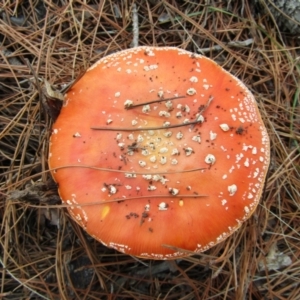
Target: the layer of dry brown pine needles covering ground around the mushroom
pixel 61 39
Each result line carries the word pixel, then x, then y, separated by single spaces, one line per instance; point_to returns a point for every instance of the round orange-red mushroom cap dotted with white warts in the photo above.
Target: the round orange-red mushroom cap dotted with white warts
pixel 157 147
